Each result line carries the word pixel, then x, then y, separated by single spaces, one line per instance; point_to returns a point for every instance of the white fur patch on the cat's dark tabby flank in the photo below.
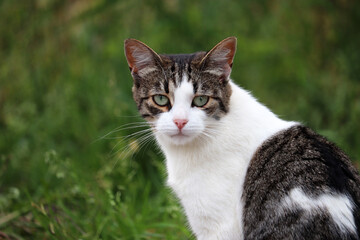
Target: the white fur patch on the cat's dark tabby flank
pixel 339 206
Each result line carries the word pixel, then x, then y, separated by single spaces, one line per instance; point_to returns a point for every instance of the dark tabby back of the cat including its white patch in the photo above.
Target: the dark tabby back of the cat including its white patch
pixel 301 186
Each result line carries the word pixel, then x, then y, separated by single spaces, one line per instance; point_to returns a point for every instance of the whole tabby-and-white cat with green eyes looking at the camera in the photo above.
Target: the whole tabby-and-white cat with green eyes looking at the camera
pixel 239 171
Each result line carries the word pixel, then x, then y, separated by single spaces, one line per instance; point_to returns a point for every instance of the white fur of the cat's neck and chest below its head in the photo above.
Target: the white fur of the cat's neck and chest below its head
pixel 208 175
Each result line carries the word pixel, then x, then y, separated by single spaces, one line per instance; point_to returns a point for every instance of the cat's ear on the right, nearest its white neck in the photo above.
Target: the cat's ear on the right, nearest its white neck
pixel 219 60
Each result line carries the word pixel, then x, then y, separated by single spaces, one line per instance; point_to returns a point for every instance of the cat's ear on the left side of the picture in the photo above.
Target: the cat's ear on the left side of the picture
pixel 140 57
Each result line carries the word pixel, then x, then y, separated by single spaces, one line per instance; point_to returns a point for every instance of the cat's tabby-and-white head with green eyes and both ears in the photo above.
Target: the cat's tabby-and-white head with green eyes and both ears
pixel 183 95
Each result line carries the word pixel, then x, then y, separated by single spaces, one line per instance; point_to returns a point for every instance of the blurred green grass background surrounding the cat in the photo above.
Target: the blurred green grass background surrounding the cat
pixel 64 83
